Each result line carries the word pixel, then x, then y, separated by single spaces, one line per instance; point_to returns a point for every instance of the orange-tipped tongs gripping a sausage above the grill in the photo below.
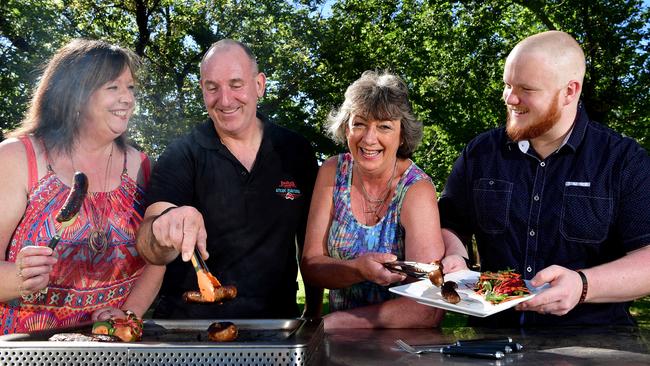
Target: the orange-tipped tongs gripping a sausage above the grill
pixel 210 289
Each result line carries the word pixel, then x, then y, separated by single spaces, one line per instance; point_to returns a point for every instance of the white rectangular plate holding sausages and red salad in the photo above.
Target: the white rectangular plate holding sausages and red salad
pixel 470 303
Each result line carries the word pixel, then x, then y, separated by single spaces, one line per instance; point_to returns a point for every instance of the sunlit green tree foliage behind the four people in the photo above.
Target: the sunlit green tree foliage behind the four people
pixel 451 54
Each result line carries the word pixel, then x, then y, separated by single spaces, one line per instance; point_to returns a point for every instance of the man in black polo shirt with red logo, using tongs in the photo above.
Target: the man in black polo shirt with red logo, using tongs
pixel 238 188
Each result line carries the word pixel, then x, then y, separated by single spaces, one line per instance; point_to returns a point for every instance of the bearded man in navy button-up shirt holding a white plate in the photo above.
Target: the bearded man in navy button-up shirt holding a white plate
pixel 554 195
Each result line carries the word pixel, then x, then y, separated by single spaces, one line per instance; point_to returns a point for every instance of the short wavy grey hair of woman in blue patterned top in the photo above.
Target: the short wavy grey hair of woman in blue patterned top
pixel 379 96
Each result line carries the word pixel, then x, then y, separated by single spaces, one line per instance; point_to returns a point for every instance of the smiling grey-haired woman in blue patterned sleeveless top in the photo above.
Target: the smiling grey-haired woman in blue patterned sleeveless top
pixel 370 206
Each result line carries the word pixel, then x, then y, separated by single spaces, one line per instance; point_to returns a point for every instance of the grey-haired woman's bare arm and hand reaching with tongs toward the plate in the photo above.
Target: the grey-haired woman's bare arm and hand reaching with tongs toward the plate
pixel 317 267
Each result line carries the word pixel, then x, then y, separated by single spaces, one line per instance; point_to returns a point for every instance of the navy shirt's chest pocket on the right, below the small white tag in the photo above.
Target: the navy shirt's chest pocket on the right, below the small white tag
pixel 585 218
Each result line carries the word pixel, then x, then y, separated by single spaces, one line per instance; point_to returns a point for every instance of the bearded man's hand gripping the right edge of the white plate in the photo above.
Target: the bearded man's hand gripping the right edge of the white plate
pixel 562 296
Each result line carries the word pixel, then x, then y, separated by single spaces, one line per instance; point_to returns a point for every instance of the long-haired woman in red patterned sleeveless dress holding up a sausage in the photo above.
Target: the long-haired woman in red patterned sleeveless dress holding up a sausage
pixel 76 122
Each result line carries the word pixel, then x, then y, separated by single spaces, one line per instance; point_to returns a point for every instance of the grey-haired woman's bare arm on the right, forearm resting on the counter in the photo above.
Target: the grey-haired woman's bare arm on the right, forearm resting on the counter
pixel 423 243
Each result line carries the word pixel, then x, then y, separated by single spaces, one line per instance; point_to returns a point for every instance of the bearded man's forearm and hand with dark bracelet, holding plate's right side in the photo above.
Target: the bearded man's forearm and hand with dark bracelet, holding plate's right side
pixel 621 280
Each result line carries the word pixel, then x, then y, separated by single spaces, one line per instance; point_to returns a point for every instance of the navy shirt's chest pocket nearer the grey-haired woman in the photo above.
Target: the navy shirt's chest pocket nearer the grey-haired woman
pixel 492 204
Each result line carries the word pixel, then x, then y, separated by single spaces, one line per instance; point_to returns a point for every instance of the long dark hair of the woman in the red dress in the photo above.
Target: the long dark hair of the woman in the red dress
pixel 74 72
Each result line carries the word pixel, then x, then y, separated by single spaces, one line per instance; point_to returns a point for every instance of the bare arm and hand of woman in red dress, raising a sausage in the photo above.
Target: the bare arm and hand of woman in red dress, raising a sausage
pixel 36 262
